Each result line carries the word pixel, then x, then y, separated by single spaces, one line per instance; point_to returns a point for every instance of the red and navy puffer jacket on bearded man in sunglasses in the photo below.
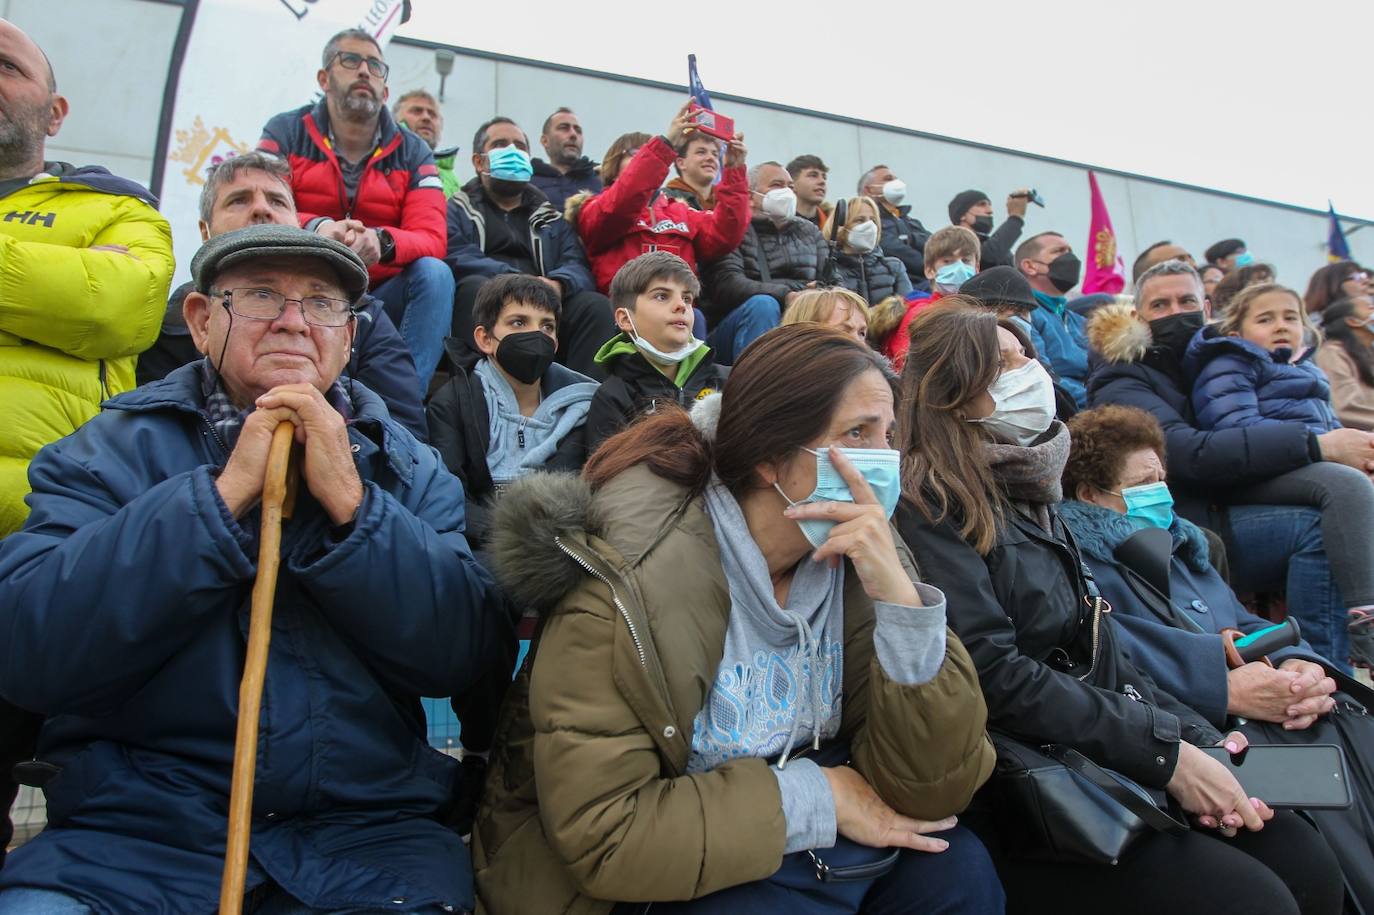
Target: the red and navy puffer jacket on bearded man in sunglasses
pixel 401 189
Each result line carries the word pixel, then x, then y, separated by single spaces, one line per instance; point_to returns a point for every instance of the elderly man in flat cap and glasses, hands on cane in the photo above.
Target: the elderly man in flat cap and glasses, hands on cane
pixel 126 607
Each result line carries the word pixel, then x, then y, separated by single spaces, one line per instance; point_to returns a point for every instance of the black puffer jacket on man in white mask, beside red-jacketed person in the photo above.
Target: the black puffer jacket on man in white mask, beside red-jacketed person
pixel 772 262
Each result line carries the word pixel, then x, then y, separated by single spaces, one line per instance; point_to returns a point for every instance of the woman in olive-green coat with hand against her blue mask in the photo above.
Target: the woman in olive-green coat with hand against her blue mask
pixel 739 689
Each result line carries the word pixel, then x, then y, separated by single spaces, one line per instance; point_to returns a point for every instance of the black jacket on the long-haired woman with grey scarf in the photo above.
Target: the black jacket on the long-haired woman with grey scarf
pixel 1052 666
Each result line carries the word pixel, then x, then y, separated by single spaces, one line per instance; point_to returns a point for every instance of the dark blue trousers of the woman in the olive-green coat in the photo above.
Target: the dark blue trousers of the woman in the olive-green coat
pixel 958 881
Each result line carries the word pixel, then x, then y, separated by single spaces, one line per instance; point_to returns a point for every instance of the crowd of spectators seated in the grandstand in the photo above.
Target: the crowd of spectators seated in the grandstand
pixel 795 501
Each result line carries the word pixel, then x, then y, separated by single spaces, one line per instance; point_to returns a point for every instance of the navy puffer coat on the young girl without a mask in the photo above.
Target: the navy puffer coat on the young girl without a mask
pixel 1239 384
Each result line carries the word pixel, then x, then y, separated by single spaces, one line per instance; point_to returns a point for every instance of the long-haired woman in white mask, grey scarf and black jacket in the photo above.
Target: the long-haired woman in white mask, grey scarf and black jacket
pixel 983 458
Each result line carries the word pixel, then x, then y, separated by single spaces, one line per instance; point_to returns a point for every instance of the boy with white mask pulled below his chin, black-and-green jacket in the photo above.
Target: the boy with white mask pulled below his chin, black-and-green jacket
pixel 655 359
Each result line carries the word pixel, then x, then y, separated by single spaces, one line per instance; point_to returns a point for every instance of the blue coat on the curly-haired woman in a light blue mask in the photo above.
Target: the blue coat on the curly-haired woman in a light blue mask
pixel 1188 664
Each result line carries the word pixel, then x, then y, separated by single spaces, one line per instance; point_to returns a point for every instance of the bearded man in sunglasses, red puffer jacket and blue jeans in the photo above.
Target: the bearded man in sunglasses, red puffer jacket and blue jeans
pixel 361 179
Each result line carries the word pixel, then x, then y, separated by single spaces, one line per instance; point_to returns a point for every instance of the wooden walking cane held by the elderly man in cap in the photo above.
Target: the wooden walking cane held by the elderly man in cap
pixel 278 501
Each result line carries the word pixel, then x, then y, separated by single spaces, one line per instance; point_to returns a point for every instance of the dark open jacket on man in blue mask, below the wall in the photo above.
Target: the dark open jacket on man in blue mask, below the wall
pixel 554 245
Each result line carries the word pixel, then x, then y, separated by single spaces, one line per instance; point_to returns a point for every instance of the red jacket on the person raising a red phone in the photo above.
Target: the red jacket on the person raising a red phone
pixel 633 218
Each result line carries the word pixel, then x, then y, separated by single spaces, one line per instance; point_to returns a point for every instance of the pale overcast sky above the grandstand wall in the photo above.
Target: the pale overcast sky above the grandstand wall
pixel 1261 98
